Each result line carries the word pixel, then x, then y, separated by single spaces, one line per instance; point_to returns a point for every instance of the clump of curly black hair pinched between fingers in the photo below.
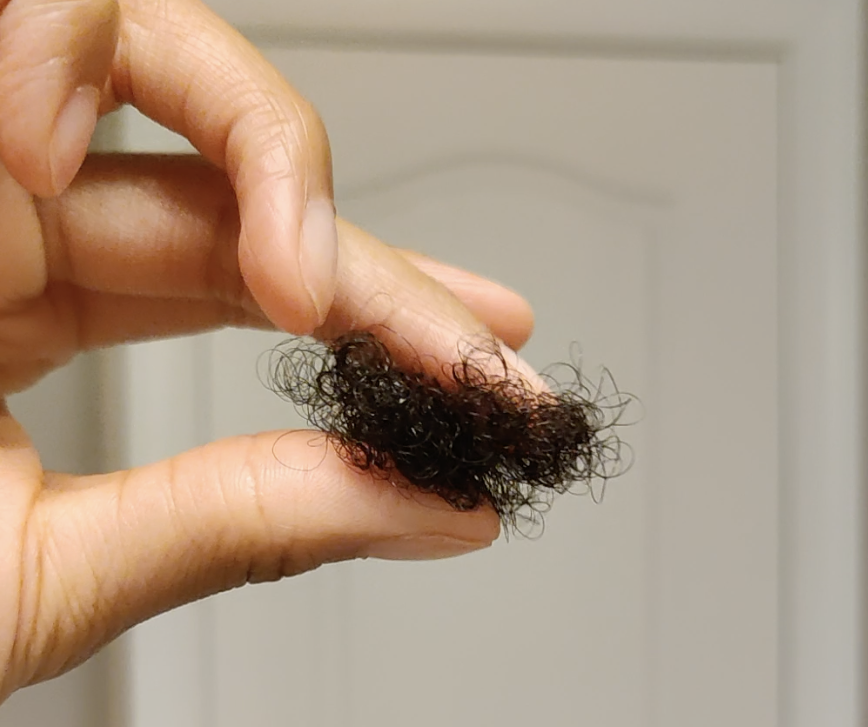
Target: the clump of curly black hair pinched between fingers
pixel 474 434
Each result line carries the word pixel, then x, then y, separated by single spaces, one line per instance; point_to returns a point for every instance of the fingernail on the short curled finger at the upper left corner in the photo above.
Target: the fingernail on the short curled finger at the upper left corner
pixel 73 130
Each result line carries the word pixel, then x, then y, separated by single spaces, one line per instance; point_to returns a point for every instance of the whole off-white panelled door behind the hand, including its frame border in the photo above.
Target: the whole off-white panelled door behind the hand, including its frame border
pixel 646 190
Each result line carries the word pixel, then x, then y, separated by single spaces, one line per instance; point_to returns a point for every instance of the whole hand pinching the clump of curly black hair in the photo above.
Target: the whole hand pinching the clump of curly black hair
pixel 112 249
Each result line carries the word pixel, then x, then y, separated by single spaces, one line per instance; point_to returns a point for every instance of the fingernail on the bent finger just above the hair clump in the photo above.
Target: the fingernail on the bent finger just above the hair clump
pixel 318 254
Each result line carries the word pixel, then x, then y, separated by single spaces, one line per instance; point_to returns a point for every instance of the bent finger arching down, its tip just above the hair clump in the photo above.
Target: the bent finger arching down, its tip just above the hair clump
pixel 188 70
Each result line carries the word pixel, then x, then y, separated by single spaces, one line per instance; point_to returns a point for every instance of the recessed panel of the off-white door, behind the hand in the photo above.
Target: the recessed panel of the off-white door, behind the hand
pixel 633 202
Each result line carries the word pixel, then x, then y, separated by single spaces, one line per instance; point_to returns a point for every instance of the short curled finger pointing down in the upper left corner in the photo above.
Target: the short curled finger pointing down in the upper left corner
pixel 55 58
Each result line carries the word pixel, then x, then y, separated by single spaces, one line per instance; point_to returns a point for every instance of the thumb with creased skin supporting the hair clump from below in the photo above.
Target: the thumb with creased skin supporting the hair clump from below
pixel 114 550
